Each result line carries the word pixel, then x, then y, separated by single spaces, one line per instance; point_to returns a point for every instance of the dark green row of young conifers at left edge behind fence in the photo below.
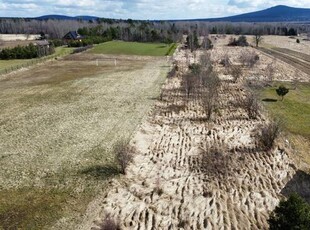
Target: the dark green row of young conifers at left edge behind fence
pixel 26 52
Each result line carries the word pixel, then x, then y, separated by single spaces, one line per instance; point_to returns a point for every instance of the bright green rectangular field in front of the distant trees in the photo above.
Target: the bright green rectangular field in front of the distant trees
pixel 134 48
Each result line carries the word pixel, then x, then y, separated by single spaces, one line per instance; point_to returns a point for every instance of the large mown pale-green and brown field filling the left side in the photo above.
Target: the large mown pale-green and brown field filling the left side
pixel 58 125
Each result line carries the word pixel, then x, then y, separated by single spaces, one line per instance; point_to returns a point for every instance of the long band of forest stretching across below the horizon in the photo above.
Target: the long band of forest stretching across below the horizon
pixel 134 30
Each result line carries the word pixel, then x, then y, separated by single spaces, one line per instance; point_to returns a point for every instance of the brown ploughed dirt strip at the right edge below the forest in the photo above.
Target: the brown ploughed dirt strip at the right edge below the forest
pixel 298 60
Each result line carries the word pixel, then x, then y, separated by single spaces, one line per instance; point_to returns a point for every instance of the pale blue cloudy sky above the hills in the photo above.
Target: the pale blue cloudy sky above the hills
pixel 140 9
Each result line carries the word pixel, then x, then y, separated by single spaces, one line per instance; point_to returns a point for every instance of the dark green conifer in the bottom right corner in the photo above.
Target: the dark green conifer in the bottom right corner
pixel 294 213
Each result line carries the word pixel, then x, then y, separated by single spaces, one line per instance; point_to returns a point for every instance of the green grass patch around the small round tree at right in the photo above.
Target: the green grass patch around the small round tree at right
pixel 294 111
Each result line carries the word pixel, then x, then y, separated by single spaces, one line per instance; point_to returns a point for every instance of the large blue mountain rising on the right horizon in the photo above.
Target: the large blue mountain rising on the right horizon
pixel 278 13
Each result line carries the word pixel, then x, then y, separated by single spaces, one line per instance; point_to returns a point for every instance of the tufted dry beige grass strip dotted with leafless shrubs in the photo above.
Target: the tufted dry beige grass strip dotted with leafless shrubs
pixel 165 187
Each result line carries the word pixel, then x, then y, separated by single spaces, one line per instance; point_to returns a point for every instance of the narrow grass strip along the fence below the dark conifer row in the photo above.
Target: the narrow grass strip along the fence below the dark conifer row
pixel 17 63
